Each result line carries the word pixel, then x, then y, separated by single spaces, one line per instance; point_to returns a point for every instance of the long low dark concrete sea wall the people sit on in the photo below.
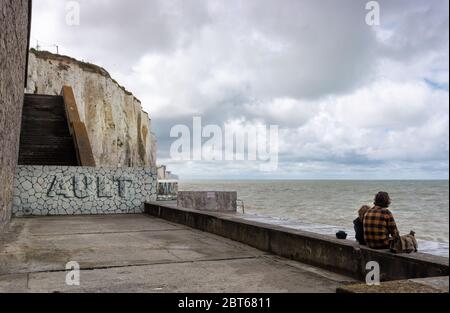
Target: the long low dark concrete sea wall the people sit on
pixel 340 256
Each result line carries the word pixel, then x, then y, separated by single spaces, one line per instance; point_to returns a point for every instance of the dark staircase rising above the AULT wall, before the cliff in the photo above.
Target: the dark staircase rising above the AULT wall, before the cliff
pixel 45 137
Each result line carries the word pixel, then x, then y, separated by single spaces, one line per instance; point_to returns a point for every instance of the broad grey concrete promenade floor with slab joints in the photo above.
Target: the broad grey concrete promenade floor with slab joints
pixel 137 253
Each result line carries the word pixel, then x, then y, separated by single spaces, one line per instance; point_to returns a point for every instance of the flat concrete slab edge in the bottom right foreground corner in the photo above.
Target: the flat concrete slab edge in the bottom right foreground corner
pixel 425 285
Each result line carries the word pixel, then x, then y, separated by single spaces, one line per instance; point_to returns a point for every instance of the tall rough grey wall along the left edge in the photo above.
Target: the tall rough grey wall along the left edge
pixel 13 55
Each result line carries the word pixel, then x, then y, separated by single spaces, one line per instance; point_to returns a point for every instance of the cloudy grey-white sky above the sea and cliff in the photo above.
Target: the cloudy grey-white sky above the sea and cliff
pixel 351 100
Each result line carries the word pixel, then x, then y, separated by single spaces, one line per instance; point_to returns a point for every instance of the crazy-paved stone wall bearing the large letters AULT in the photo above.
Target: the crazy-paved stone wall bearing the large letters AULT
pixel 72 190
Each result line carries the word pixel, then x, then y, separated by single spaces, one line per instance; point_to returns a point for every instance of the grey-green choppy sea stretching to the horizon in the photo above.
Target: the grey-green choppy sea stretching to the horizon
pixel 326 207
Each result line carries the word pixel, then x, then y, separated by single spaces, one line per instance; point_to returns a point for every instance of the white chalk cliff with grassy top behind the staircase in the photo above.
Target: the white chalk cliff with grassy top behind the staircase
pixel 118 128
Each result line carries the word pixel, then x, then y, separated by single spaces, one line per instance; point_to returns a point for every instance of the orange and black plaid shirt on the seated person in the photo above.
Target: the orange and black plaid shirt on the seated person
pixel 378 225
